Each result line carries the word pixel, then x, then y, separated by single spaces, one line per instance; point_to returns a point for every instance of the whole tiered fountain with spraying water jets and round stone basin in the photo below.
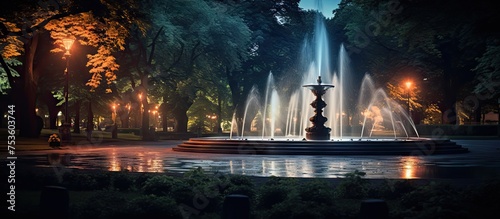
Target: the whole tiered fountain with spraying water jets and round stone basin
pixel 386 128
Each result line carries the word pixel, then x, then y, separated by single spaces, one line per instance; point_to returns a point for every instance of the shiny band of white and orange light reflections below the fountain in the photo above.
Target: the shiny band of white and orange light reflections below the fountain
pixel 409 167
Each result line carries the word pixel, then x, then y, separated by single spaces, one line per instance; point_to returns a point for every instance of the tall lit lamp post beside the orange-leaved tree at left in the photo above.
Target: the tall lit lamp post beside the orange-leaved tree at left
pixel 66 133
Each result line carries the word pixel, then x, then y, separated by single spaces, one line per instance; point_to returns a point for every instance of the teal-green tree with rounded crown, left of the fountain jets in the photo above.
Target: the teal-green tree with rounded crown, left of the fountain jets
pixel 197 34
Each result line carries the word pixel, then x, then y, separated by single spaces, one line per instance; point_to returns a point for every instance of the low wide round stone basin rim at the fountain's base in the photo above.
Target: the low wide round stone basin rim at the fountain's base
pixel 365 146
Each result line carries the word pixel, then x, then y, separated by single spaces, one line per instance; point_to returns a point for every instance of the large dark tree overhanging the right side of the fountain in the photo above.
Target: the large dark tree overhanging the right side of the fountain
pixel 431 38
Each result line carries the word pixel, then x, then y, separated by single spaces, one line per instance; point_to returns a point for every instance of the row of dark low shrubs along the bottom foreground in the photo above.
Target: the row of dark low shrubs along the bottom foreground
pixel 200 195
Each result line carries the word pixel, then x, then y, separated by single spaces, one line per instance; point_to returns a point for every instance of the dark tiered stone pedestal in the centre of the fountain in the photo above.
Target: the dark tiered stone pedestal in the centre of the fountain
pixel 318 131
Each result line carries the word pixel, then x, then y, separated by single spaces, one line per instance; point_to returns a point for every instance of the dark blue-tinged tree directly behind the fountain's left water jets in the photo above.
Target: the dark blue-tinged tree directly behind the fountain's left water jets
pixel 277 34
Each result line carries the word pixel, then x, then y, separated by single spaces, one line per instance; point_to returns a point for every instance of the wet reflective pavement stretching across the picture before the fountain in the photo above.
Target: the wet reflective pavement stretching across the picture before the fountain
pixel 481 162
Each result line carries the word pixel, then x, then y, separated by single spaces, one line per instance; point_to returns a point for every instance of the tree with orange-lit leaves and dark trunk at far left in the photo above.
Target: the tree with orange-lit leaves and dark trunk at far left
pixel 26 20
